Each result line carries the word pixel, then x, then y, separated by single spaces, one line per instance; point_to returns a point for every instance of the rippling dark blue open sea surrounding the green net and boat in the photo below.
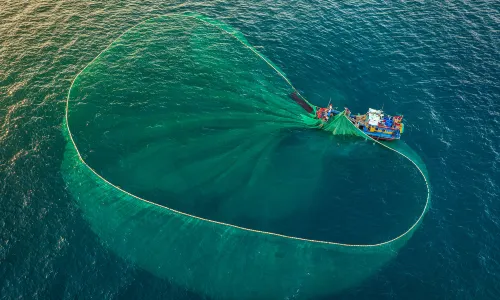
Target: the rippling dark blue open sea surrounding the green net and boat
pixel 438 63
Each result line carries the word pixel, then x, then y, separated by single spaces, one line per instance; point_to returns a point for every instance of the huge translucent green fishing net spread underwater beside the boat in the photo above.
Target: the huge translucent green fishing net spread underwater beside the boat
pixel 192 155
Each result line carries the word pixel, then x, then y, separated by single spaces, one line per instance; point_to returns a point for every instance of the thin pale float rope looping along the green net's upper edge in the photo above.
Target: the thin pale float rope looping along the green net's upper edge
pixel 217 222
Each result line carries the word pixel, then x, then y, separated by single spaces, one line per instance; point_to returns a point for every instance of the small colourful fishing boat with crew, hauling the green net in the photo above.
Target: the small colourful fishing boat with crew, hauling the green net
pixel 374 123
